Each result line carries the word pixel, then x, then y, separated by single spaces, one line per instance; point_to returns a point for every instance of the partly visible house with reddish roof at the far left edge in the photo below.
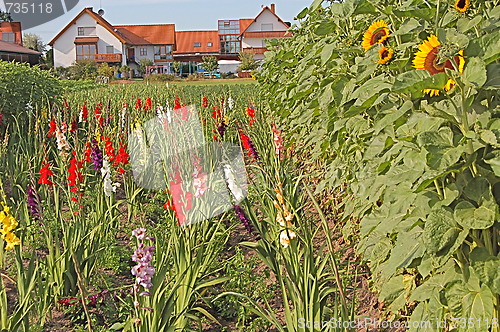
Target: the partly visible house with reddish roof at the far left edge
pixel 11 45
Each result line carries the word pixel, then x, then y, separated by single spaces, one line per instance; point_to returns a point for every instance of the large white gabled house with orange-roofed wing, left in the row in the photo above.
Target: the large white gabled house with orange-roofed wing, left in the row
pixel 90 37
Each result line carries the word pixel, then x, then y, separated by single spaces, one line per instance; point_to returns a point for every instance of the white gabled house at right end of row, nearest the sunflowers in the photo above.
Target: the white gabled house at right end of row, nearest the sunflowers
pixel 267 25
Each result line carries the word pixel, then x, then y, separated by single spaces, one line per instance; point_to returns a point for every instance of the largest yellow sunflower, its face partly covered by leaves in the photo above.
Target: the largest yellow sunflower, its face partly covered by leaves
pixel 427 58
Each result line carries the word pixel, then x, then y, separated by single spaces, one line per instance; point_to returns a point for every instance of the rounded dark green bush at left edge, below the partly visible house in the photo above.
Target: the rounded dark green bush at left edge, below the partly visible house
pixel 22 85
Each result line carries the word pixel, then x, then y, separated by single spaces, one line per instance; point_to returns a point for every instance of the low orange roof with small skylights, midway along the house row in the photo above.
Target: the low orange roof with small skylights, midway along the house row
pixel 187 39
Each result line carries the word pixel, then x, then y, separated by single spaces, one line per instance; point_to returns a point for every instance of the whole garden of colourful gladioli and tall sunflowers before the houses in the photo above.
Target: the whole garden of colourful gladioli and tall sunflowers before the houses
pixel 354 187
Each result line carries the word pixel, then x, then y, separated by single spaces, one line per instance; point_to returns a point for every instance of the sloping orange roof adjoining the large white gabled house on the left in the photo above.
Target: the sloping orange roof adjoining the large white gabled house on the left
pixel 157 34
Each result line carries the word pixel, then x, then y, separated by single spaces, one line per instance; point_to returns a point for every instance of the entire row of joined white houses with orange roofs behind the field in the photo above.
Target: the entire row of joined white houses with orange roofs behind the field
pixel 90 36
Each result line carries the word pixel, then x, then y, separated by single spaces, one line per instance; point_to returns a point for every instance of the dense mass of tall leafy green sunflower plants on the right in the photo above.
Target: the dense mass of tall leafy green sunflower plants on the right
pixel 398 102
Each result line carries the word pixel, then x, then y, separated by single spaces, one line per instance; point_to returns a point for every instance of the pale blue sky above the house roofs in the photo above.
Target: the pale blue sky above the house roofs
pixel 185 14
